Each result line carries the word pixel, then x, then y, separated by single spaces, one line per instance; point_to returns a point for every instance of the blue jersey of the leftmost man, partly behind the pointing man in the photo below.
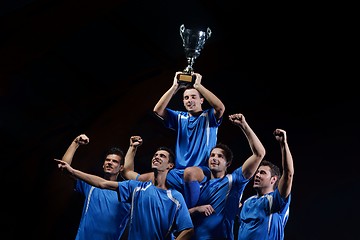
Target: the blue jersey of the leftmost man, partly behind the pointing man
pixel 103 216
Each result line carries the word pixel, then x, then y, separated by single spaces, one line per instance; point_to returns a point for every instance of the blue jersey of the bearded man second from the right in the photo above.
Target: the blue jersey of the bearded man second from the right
pixel 223 194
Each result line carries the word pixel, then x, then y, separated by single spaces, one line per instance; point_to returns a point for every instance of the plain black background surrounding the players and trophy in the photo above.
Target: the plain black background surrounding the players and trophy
pixel 99 67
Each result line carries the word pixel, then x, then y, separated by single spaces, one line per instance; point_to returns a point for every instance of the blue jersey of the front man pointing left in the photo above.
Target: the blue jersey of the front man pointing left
pixel 155 213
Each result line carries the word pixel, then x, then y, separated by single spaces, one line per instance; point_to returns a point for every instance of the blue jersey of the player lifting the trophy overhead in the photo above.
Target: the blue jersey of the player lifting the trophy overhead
pixel 196 136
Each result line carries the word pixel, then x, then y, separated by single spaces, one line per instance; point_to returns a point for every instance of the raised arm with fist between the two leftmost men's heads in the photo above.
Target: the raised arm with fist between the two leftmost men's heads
pixel 128 172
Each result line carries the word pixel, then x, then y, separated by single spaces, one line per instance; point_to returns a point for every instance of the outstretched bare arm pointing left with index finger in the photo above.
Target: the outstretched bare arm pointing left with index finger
pixel 89 178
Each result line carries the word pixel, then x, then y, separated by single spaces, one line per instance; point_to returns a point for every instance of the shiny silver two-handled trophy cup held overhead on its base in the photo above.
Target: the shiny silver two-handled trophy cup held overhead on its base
pixel 193 42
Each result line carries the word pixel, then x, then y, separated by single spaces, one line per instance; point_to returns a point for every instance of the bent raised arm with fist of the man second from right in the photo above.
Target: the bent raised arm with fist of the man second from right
pixel 251 164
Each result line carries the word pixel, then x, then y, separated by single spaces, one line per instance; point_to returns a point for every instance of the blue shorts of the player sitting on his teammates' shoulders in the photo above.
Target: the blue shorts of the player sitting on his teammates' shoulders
pixel 175 178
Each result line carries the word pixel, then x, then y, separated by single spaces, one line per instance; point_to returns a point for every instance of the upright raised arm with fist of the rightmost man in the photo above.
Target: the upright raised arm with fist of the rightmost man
pixel 285 182
